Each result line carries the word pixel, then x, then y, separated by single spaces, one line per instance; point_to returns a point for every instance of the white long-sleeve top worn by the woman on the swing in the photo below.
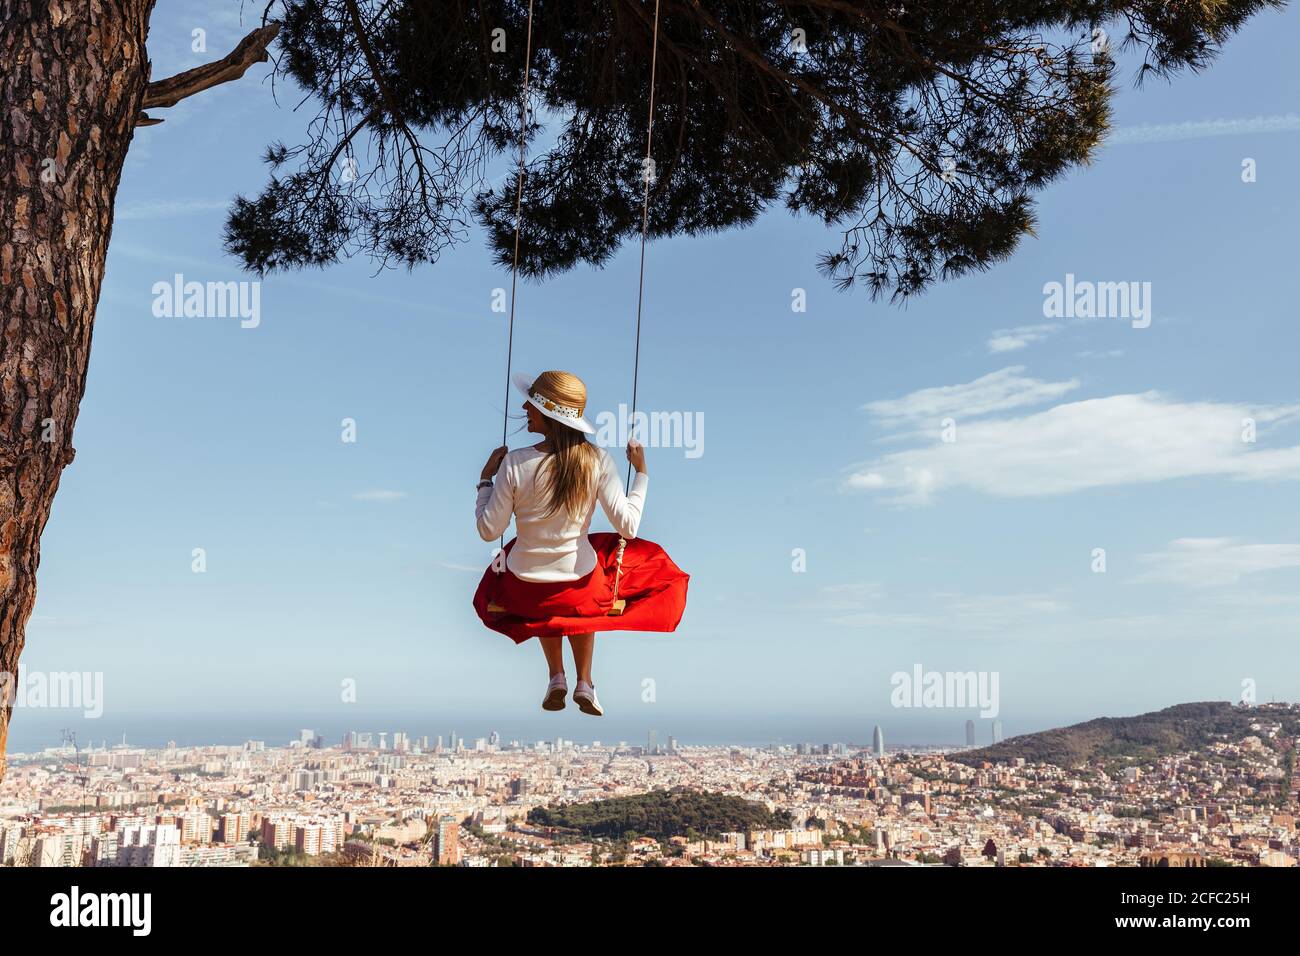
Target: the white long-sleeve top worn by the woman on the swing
pixel 554 548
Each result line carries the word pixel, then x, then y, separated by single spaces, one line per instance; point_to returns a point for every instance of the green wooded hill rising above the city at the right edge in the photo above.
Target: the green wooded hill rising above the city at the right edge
pixel 1178 729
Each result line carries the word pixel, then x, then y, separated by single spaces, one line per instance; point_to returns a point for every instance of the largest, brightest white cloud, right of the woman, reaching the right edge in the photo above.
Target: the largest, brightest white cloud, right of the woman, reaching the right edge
pixel 1120 440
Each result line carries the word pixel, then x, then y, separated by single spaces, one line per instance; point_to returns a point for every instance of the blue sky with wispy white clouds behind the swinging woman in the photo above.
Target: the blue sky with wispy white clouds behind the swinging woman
pixel 331 561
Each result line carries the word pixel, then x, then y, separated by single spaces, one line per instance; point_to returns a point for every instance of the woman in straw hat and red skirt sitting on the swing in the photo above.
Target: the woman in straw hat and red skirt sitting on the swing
pixel 556 579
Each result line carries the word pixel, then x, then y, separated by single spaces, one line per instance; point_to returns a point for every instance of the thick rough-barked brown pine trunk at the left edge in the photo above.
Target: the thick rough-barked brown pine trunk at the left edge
pixel 73 80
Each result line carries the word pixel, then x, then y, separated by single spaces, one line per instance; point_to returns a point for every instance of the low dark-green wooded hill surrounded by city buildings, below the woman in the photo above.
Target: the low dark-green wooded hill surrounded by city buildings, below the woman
pixel 661 815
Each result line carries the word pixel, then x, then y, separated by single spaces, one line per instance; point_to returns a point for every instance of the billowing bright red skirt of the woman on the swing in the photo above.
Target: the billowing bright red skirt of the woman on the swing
pixel 652 586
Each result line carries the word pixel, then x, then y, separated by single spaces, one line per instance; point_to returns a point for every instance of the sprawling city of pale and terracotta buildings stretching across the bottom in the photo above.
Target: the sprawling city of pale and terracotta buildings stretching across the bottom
pixel 392 799
